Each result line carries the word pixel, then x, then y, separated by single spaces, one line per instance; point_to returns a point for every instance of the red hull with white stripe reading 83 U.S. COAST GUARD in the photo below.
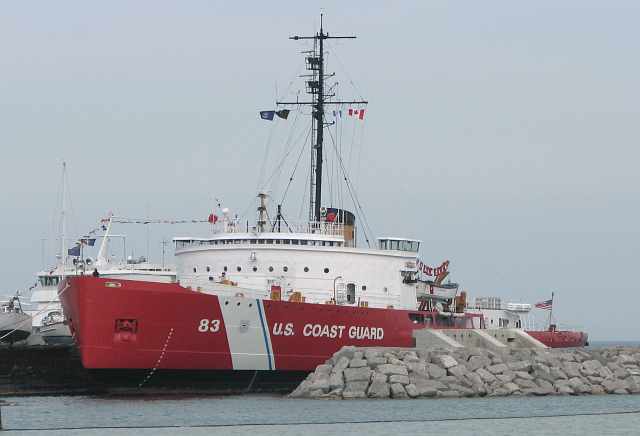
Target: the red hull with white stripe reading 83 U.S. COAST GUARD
pixel 121 324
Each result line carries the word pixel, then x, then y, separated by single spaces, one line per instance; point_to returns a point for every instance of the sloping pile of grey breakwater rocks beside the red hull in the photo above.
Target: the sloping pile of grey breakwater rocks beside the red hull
pixel 472 372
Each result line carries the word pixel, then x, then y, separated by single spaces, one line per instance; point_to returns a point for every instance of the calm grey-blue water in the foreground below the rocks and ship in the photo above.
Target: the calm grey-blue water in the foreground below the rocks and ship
pixel 268 415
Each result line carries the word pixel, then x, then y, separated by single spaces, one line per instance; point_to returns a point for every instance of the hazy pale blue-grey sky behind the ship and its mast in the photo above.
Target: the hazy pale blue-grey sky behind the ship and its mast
pixel 502 134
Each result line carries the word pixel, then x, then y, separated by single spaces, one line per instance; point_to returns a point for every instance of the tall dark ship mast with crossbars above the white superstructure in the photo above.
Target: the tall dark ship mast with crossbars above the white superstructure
pixel 316 88
